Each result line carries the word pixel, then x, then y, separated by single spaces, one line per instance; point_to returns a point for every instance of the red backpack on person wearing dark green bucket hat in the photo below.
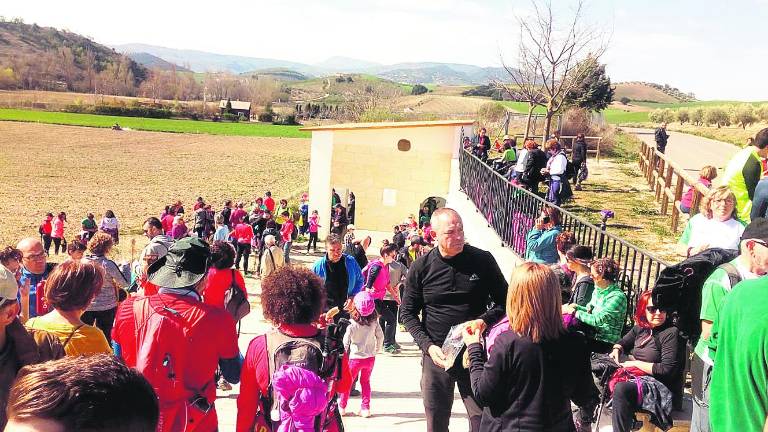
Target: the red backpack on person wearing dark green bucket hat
pixel 162 340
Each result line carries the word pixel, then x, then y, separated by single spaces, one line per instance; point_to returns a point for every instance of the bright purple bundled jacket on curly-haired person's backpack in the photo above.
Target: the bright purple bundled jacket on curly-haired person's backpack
pixel 302 396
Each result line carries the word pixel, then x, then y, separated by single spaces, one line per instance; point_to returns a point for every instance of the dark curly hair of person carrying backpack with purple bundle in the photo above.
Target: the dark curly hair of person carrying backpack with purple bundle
pixel 292 295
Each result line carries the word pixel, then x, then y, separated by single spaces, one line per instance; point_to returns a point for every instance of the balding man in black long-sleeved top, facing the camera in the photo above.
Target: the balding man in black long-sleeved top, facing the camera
pixel 453 284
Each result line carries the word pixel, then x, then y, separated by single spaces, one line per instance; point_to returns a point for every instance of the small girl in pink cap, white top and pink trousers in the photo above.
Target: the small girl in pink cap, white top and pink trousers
pixel 362 341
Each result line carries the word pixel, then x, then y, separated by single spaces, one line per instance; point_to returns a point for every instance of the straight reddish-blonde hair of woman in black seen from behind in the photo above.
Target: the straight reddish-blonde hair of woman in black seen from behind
pixel 534 303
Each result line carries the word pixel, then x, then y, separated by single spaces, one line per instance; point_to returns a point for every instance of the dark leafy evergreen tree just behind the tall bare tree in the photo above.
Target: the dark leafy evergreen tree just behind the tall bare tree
pixel 593 91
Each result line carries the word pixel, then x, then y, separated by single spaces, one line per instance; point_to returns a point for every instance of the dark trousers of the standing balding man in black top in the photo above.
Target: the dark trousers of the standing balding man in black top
pixel 437 387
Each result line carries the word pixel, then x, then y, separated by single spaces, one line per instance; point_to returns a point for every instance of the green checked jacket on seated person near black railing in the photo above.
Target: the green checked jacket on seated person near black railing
pixel 605 312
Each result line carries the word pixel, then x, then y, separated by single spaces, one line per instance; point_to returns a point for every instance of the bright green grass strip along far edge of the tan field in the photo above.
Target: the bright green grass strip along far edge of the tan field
pixel 155 125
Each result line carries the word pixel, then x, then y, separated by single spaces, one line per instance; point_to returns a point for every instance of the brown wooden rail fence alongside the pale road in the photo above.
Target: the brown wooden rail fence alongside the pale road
pixel 668 181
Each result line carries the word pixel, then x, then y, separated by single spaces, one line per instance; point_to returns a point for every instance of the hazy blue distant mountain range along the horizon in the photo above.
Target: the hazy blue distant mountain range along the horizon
pixel 412 73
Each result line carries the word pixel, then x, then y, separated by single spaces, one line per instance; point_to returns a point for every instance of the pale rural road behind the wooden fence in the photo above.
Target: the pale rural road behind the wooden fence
pixel 691 152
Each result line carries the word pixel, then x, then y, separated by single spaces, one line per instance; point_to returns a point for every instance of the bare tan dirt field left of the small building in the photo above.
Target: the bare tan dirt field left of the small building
pixel 74 169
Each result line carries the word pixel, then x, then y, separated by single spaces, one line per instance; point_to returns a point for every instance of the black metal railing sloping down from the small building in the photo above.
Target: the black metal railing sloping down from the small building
pixel 512 211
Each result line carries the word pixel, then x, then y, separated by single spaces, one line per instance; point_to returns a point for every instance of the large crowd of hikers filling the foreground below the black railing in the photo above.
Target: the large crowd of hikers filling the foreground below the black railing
pixel 90 344
